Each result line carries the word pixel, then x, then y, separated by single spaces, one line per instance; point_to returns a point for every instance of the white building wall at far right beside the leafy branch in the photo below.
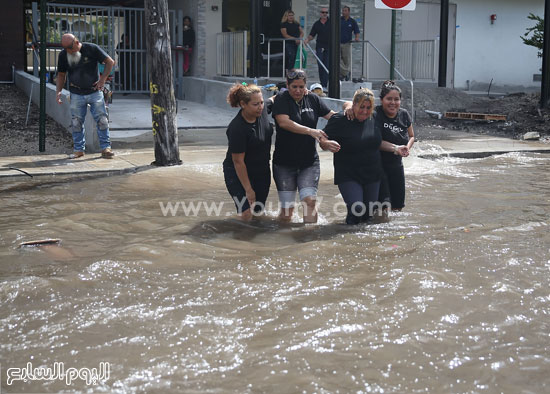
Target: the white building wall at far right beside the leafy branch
pixel 485 51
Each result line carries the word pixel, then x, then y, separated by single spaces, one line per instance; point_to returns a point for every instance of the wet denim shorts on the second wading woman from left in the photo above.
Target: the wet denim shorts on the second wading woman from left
pixel 288 179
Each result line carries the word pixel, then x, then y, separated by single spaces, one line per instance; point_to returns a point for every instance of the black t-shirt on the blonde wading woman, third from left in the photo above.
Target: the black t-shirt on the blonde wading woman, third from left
pixel 358 159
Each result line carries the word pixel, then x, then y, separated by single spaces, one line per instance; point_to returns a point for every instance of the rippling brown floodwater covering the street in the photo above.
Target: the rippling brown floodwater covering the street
pixel 450 295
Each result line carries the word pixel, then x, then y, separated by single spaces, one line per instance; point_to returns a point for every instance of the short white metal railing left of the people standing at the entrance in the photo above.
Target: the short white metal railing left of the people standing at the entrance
pixel 231 53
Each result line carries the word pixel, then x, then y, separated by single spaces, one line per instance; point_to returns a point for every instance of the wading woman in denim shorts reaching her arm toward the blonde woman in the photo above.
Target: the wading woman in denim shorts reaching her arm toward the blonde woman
pixel 295 159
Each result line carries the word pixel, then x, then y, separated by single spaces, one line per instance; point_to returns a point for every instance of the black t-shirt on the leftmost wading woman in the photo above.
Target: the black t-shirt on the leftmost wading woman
pixel 252 139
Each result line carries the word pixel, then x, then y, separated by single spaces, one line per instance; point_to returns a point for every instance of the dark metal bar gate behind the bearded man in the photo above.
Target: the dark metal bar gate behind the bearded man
pixel 120 31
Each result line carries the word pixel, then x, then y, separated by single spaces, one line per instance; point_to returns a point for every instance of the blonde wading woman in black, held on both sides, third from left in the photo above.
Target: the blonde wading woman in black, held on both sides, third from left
pixel 356 145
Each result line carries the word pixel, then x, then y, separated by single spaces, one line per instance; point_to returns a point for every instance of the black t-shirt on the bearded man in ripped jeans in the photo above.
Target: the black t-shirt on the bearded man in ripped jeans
pixel 84 74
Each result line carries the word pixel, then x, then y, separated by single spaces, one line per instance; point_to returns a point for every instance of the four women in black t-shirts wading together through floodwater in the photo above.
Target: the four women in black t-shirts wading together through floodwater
pixel 368 145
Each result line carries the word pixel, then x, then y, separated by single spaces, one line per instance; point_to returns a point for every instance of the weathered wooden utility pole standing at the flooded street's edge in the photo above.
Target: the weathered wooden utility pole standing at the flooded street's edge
pixel 161 85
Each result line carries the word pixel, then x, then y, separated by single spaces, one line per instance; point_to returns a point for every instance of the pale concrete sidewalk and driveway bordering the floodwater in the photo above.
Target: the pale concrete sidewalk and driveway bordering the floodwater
pixel 201 132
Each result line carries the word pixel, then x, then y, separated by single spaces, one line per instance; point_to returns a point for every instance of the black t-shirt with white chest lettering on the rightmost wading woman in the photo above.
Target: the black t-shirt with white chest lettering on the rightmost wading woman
pixel 393 130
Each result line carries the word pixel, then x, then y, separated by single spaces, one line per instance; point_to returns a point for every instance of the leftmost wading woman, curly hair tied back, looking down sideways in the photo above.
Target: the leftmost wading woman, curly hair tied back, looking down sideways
pixel 246 166
